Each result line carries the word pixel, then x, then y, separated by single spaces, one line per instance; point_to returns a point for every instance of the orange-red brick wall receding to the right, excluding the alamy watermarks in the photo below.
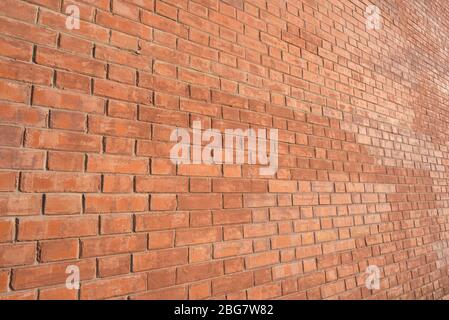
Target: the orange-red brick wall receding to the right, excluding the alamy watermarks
pixel 86 179
